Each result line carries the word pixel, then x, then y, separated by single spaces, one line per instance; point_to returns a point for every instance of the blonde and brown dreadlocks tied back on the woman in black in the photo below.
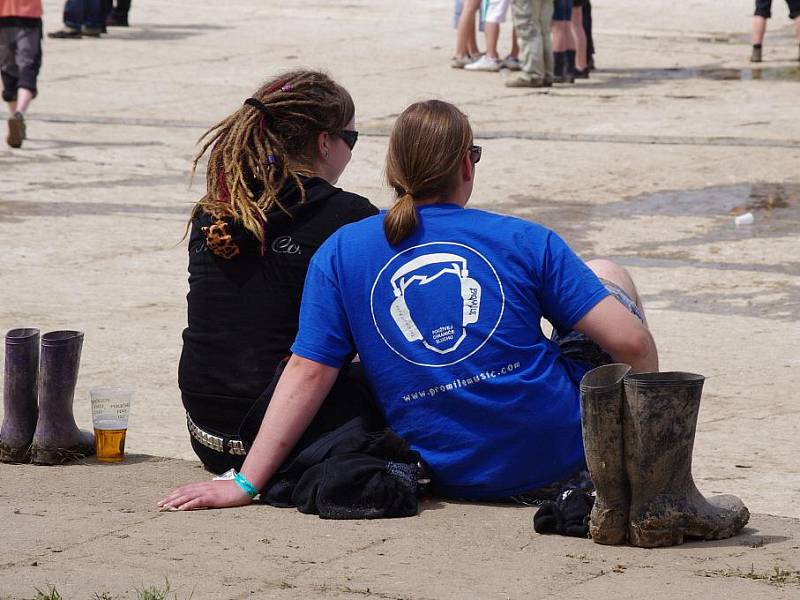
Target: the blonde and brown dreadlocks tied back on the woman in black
pixel 268 142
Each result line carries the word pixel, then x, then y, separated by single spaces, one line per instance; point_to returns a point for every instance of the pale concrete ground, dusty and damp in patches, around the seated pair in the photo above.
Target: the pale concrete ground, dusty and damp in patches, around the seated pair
pixel 648 163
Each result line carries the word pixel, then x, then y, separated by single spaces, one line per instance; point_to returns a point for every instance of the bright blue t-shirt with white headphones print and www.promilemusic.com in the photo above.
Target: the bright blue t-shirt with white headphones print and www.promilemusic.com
pixel 447 325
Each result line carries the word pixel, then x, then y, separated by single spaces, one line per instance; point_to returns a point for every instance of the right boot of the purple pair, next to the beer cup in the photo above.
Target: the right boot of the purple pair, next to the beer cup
pixel 57 438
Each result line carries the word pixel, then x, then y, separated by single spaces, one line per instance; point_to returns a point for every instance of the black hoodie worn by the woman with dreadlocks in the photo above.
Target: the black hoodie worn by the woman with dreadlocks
pixel 243 311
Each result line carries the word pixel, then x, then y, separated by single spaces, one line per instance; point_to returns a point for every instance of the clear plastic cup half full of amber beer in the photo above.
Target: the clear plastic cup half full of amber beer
pixel 110 410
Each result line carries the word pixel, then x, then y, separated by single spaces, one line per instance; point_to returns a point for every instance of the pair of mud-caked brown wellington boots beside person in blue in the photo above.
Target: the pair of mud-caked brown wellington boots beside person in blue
pixel 638 434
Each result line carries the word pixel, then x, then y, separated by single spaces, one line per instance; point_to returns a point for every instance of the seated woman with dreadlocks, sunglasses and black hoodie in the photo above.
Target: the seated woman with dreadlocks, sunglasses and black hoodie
pixel 271 201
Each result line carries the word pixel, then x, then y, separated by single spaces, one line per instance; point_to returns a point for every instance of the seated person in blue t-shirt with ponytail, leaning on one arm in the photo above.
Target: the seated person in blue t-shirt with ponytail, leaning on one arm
pixel 443 305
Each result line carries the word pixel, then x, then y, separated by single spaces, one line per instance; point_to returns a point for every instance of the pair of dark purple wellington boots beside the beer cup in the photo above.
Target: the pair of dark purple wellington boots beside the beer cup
pixel 42 432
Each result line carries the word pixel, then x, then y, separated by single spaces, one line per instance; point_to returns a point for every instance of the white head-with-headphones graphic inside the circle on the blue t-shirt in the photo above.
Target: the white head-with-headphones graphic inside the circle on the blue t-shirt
pixel 446 339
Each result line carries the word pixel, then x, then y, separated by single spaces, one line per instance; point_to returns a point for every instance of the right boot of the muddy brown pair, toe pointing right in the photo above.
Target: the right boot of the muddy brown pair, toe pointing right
pixel 660 420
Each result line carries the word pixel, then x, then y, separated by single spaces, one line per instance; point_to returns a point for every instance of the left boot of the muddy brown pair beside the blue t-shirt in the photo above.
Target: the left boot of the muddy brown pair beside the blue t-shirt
pixel 601 422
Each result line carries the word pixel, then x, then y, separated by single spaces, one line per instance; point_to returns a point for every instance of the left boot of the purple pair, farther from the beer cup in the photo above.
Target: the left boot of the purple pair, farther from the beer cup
pixel 19 395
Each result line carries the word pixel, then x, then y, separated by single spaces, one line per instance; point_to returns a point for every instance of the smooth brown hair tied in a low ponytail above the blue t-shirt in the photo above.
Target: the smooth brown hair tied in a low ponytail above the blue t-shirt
pixel 428 142
